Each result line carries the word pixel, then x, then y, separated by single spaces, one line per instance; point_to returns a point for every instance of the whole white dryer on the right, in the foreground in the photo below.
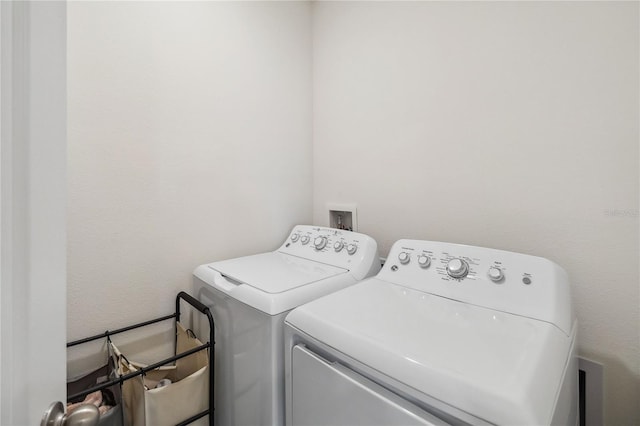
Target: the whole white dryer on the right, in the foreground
pixel 444 334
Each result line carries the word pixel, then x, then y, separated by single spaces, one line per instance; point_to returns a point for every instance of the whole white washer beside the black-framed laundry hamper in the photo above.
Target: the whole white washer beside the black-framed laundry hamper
pixel 250 297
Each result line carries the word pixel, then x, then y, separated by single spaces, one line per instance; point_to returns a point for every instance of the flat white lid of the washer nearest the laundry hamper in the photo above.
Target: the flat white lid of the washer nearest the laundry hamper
pixel 273 282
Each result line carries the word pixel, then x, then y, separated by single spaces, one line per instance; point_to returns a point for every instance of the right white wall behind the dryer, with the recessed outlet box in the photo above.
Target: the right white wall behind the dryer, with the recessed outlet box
pixel 501 124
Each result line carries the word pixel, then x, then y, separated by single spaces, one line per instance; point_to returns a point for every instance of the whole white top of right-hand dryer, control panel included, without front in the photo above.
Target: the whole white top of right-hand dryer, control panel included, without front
pixel 499 365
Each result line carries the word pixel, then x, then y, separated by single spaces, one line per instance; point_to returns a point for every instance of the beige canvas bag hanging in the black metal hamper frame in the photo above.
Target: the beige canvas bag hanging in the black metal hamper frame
pixel 186 396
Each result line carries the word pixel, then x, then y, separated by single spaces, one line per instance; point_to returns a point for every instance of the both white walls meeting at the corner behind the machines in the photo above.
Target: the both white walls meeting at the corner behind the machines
pixel 508 125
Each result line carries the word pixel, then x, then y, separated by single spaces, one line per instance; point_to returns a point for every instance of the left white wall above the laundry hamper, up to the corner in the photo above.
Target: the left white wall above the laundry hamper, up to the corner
pixel 189 142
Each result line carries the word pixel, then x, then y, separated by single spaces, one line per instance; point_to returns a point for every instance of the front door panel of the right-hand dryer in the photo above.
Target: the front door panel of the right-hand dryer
pixel 326 393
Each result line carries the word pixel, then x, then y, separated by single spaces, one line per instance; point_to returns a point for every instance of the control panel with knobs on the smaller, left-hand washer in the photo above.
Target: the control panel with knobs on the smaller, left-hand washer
pixel 345 249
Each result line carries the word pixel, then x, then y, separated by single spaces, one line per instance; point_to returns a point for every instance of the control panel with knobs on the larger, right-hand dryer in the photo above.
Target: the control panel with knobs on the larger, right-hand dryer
pixel 509 282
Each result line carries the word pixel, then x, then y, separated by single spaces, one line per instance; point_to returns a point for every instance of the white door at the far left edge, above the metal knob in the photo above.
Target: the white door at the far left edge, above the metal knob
pixel 32 213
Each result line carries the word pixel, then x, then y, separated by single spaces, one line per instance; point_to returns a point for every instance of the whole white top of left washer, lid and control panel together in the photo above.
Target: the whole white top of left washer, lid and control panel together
pixel 312 262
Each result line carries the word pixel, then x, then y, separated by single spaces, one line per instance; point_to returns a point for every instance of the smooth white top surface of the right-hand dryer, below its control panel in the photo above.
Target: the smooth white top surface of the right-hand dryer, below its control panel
pixel 499 367
